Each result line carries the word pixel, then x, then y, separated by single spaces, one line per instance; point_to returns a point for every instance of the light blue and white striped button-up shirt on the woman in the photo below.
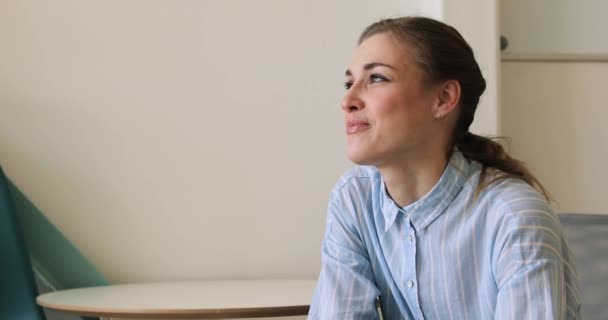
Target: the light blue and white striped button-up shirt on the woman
pixel 448 255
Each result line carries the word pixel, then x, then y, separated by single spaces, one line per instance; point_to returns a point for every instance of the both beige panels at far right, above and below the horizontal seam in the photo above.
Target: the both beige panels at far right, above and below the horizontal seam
pixel 555 111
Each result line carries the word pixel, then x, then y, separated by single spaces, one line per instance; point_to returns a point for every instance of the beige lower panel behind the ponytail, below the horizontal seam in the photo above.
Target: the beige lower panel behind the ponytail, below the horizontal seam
pixel 555 114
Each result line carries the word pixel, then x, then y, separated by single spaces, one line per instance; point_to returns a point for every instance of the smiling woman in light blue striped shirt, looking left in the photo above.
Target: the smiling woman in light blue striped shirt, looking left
pixel 437 222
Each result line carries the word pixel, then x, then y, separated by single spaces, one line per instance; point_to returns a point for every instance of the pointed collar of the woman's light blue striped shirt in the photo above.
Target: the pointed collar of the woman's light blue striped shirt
pixel 426 209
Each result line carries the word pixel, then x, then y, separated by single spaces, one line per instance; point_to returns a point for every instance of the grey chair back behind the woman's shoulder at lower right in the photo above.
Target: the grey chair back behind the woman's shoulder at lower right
pixel 587 236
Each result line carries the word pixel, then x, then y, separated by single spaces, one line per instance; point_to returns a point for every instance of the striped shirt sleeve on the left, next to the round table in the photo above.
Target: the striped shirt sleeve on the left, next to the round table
pixel 346 288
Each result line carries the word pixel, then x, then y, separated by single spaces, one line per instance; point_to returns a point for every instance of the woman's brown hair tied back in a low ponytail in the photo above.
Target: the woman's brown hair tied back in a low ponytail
pixel 443 54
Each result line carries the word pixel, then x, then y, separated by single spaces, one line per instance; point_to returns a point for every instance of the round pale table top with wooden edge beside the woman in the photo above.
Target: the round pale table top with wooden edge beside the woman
pixel 200 299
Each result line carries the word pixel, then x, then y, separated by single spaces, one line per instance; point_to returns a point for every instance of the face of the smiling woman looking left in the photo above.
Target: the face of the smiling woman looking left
pixel 388 106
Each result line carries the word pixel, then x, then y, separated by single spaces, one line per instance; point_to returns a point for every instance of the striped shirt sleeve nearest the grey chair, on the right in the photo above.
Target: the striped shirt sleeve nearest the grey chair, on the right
pixel 529 266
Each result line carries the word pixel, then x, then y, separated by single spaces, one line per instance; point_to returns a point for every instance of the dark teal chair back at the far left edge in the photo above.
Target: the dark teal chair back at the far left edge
pixel 17 287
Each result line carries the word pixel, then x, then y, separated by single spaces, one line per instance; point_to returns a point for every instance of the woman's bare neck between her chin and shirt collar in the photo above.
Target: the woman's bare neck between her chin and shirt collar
pixel 410 179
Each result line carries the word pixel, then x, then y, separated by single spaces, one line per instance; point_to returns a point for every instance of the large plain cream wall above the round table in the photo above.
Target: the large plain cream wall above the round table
pixel 181 139
